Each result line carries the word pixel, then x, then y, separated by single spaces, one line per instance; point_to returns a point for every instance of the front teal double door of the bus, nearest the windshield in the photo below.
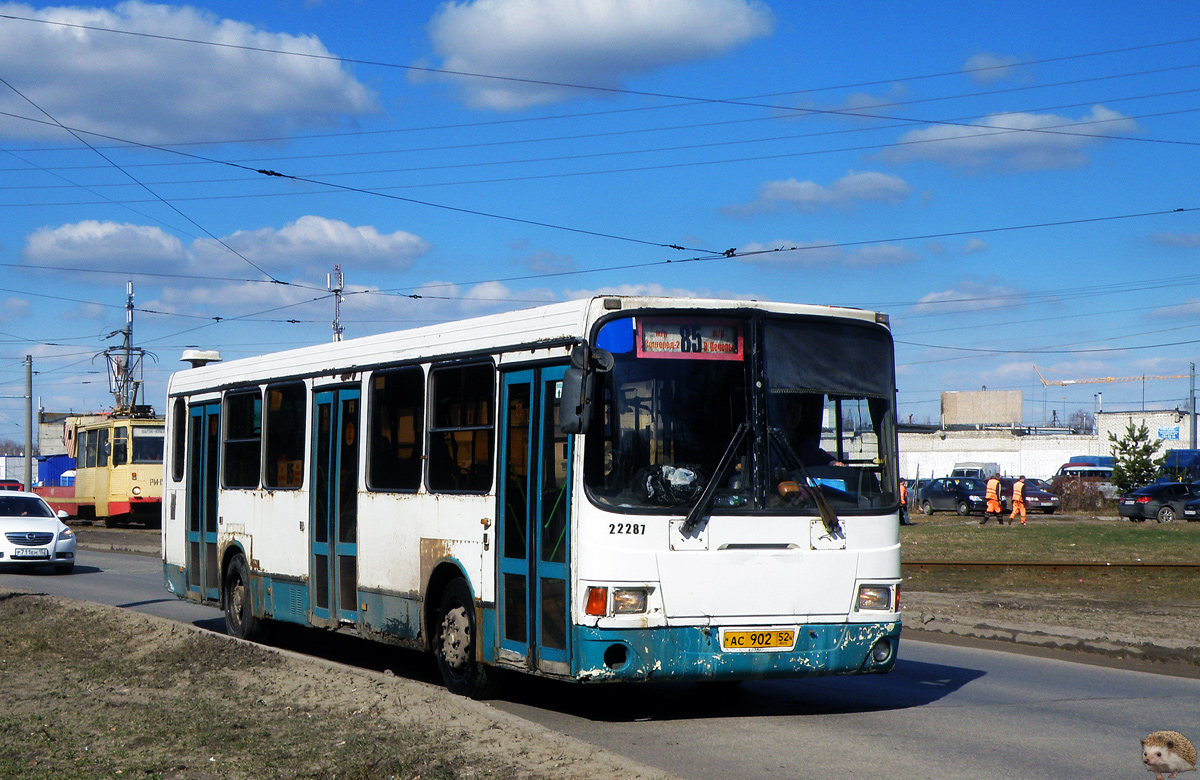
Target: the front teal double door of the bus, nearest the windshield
pixel 532 595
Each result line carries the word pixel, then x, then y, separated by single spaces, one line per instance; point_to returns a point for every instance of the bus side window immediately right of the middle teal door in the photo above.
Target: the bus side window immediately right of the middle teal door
pixel 398 417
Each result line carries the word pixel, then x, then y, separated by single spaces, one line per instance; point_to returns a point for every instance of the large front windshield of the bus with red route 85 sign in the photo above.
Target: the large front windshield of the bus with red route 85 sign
pixel 817 397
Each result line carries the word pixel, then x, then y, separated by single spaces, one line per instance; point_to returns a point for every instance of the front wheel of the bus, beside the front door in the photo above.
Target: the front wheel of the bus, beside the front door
pixel 455 646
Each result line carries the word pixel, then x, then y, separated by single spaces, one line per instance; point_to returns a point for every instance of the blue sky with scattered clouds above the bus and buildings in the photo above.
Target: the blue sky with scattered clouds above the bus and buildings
pixel 1016 184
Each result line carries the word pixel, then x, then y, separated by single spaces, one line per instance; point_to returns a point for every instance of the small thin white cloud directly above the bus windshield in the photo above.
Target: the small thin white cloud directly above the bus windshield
pixel 855 188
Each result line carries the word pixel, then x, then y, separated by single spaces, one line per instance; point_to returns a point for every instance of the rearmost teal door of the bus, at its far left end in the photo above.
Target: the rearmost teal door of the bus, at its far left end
pixel 203 482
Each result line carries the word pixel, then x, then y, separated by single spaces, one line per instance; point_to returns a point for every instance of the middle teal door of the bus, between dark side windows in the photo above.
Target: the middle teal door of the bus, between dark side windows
pixel 334 509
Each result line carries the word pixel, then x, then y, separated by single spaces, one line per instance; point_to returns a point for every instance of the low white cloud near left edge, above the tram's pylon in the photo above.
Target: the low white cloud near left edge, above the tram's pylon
pixel 101 245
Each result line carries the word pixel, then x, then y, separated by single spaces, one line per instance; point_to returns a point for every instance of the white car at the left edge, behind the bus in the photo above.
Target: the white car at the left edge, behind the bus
pixel 32 536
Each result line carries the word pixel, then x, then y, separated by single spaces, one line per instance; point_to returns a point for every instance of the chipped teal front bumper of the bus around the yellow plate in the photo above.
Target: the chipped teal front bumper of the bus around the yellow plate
pixel 694 653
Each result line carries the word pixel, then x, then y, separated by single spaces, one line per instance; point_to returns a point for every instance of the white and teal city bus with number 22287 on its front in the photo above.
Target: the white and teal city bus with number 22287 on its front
pixel 616 489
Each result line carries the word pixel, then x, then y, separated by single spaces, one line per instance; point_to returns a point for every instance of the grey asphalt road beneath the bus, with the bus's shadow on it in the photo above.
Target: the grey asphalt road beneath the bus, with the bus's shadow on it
pixel 945 712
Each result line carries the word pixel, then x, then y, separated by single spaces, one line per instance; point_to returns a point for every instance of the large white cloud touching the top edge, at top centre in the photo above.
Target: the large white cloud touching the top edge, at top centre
pixel 595 43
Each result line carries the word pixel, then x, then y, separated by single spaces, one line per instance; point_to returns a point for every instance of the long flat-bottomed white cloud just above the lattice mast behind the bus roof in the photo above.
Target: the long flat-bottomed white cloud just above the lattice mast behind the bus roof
pixel 315 244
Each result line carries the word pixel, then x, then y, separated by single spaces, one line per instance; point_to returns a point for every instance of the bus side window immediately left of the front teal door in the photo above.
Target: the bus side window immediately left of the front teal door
pixel 463 433
